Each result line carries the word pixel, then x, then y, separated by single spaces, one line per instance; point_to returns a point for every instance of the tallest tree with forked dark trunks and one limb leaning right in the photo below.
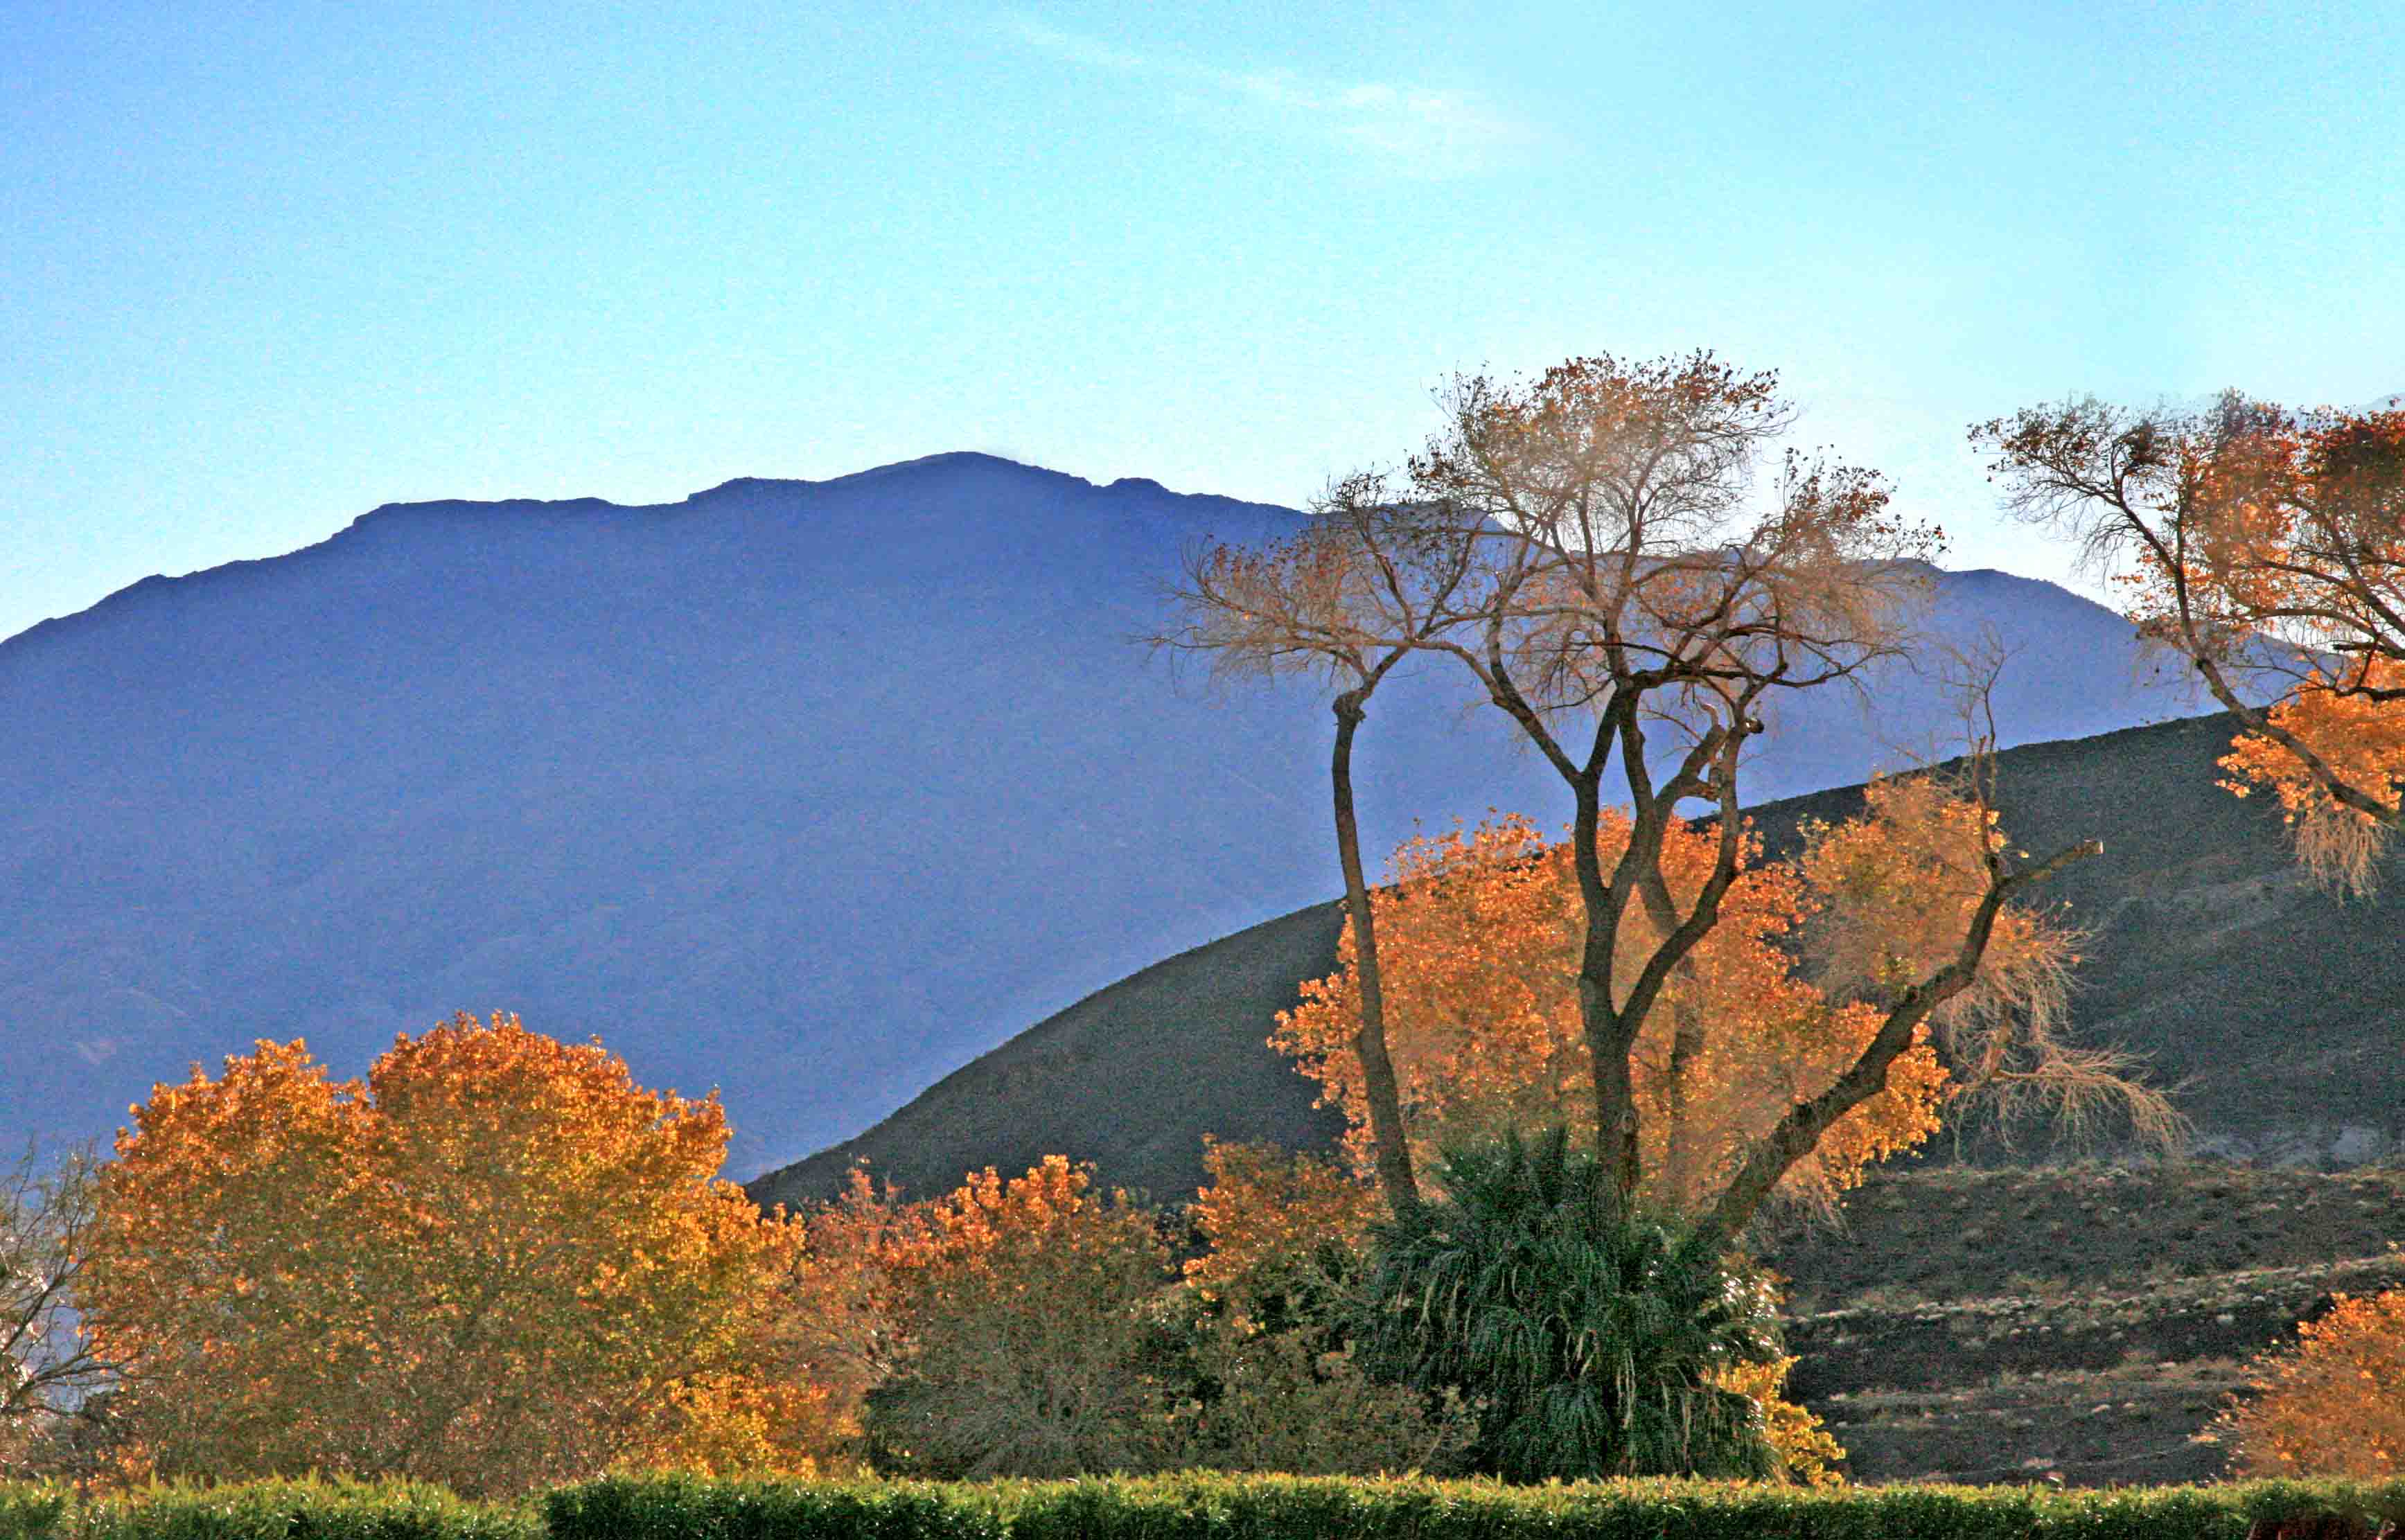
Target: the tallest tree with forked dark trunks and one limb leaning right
pixel 1637 612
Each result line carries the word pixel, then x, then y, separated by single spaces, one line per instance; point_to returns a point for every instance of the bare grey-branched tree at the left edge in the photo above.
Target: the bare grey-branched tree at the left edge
pixel 49 1368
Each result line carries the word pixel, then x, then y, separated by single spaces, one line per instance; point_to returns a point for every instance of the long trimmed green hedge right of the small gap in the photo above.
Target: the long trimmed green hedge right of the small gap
pixel 1269 1508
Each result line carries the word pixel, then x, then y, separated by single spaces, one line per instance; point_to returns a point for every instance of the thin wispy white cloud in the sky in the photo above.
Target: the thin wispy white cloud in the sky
pixel 1413 129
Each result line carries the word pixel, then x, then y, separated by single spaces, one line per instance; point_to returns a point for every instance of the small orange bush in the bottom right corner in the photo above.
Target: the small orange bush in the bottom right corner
pixel 2329 1406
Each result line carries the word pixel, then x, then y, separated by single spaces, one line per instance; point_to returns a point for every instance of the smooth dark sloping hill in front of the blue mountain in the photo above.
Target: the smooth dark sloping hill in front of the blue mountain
pixel 2274 1005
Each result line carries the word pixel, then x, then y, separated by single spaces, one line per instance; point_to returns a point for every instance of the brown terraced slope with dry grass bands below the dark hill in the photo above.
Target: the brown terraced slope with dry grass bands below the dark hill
pixel 2079 1322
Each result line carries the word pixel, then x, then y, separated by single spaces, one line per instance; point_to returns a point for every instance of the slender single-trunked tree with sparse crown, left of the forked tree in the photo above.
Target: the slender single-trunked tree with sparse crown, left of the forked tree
pixel 1353 596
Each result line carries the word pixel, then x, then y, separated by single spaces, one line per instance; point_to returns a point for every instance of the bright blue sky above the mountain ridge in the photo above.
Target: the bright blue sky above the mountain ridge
pixel 271 266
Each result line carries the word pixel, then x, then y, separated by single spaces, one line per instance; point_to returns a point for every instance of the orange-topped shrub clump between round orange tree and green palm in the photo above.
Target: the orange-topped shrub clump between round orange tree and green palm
pixel 1033 1327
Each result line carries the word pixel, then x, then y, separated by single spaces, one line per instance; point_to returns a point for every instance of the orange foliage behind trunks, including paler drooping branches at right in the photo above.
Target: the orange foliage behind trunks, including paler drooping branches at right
pixel 1483 947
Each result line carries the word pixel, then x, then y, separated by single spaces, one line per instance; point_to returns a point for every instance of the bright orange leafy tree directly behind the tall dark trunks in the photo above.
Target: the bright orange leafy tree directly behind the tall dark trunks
pixel 1480 944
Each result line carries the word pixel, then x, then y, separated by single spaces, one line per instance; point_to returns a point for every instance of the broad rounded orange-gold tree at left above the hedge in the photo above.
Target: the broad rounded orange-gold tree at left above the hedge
pixel 494 1264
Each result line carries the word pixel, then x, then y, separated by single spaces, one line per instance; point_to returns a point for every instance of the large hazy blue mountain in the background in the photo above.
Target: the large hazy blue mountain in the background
pixel 802 790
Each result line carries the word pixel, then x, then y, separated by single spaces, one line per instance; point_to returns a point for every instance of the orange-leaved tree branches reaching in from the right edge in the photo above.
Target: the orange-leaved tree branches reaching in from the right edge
pixel 2269 550
